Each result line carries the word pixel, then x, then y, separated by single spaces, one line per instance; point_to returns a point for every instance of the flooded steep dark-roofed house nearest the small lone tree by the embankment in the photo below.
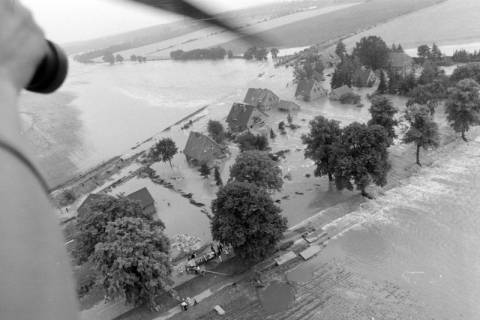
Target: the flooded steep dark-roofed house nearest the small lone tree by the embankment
pixel 201 149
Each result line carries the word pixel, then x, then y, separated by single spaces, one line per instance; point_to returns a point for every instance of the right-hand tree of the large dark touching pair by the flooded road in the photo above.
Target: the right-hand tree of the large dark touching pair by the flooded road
pixel 364 159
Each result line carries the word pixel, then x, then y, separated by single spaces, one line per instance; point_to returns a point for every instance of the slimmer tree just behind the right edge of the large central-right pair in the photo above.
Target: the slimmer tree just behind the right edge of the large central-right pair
pixel 383 114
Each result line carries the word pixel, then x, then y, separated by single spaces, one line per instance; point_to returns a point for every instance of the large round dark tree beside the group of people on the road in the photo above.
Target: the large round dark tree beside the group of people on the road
pixel 245 217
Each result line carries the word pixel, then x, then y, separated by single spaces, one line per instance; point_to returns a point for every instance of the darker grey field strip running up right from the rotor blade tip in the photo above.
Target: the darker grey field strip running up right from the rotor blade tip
pixel 337 24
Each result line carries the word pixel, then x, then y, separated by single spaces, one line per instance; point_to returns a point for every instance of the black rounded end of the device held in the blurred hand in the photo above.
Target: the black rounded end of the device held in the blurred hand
pixel 51 72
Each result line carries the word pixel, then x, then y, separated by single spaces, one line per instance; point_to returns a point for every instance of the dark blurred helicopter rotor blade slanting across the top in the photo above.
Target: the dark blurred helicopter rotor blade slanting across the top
pixel 185 8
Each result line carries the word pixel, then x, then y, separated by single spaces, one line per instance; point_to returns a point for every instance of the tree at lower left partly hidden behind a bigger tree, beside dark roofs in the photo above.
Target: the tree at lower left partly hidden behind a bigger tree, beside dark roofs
pixel 91 226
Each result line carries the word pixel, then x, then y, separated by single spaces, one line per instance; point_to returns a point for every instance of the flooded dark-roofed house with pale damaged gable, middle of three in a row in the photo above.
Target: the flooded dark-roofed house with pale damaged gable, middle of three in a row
pixel 245 117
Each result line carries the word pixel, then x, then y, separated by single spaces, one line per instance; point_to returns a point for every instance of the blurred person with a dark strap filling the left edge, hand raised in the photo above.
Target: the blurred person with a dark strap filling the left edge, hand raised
pixel 35 279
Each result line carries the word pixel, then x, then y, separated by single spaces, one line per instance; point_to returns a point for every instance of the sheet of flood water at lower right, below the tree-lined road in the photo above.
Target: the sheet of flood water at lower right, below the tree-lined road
pixel 414 251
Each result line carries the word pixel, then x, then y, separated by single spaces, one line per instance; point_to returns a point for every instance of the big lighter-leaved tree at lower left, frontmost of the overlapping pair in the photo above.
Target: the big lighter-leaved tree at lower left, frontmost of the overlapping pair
pixel 134 261
